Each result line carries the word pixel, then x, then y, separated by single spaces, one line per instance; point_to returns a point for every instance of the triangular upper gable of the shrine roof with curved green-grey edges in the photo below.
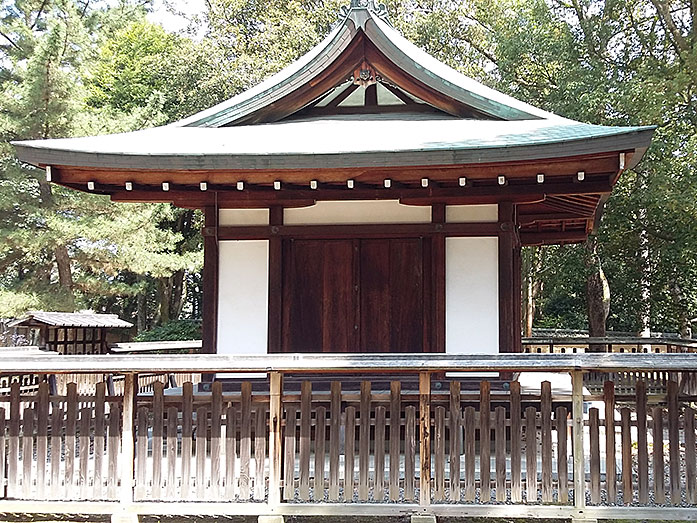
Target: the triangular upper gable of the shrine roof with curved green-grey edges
pixel 364 65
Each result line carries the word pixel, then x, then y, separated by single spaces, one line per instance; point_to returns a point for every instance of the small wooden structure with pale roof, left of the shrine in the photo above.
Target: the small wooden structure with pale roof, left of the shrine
pixel 71 332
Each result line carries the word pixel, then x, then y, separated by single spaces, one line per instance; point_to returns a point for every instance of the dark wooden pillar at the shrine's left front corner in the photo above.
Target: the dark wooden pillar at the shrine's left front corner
pixel 209 329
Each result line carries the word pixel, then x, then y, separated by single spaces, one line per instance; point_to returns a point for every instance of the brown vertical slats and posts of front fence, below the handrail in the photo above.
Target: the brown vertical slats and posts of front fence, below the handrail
pixel 433 441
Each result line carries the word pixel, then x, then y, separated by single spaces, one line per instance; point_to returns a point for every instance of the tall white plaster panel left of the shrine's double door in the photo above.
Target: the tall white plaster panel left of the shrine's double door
pixel 243 291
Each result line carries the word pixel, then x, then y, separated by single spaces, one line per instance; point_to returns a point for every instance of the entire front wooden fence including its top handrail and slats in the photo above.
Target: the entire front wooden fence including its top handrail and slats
pixel 361 435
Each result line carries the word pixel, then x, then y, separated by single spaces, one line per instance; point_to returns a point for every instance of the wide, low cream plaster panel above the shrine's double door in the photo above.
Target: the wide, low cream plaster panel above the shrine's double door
pixel 357 211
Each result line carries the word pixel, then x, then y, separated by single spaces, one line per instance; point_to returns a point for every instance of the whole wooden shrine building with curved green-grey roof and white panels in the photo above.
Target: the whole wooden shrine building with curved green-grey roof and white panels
pixel 367 198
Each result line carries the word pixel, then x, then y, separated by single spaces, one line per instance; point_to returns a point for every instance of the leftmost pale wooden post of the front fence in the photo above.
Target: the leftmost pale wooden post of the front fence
pixel 127 452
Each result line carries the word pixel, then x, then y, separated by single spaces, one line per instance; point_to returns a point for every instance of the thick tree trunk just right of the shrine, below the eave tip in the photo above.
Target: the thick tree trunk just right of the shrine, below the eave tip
pixel 597 296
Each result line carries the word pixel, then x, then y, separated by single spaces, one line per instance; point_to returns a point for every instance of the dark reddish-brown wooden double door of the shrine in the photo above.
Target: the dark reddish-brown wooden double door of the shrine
pixel 356 295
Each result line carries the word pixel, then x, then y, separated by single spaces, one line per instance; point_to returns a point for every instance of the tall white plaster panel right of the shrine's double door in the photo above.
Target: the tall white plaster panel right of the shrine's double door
pixel 471 296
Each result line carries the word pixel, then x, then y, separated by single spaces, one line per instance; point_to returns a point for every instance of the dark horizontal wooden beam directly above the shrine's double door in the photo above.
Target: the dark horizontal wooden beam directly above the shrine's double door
pixel 263 232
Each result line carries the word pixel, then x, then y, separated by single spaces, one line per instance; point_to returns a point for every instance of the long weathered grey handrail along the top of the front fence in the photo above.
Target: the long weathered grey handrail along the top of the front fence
pixel 348 363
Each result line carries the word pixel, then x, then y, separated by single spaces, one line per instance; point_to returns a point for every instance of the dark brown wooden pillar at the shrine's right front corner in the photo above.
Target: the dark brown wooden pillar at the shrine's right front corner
pixel 509 280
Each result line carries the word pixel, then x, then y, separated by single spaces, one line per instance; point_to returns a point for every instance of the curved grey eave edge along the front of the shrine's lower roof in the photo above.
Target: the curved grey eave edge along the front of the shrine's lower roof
pixel 55 152
